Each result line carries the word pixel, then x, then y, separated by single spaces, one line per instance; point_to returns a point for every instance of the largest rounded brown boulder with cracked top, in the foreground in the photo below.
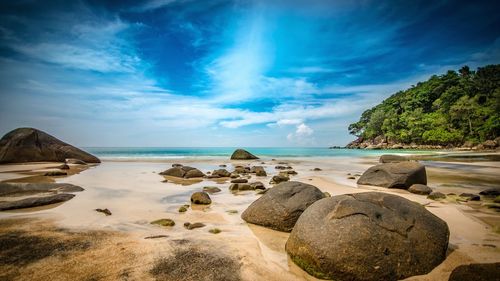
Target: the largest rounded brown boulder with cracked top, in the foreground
pixel 367 236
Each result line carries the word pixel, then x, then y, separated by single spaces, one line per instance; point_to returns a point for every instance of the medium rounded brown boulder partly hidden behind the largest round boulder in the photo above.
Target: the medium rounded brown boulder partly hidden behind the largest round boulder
pixel 280 207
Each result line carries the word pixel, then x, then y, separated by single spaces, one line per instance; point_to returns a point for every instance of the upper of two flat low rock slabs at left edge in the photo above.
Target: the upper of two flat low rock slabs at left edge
pixel 19 188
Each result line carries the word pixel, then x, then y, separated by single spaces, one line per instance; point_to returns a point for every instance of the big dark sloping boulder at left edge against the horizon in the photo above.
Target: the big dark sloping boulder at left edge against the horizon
pixel 32 145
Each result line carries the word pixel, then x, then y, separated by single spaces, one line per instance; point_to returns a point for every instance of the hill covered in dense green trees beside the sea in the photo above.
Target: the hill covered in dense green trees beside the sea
pixel 453 108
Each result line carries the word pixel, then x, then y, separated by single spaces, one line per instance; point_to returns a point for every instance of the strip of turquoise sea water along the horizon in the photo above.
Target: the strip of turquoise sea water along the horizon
pixel 263 152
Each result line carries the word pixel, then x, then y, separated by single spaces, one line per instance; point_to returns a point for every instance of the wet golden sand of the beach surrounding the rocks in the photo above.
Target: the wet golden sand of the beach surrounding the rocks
pixel 135 194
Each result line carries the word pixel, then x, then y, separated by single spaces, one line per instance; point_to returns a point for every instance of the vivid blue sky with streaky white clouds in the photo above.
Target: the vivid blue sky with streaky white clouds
pixel 225 73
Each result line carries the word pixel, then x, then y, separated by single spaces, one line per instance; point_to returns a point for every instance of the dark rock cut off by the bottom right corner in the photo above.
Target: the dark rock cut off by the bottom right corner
pixel 476 272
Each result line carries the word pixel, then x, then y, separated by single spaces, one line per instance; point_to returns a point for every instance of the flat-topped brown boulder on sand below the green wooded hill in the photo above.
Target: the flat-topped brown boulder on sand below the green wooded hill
pixel 395 175
